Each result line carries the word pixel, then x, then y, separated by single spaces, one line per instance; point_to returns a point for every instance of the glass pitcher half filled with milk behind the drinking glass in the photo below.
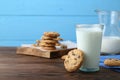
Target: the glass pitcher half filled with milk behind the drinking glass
pixel 111 38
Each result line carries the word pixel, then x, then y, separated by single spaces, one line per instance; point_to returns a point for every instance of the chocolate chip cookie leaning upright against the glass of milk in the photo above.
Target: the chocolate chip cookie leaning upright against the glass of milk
pixel 73 60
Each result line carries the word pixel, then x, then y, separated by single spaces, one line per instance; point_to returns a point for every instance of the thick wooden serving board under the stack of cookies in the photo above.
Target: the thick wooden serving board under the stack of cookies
pixel 42 53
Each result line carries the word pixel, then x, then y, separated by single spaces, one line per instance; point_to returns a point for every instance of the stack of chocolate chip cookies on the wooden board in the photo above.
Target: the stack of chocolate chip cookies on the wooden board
pixel 49 41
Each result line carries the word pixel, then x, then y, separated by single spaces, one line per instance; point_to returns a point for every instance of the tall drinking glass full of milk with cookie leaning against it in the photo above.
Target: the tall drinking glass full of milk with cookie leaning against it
pixel 89 38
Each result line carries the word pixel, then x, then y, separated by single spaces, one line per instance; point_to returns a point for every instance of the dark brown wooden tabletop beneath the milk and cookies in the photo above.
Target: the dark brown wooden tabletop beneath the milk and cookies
pixel 21 67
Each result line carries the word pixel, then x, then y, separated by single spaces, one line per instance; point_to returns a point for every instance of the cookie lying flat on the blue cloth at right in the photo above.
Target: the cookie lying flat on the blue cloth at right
pixel 112 62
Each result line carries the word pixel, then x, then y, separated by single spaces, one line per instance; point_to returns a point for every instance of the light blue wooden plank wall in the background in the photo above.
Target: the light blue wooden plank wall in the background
pixel 24 21
